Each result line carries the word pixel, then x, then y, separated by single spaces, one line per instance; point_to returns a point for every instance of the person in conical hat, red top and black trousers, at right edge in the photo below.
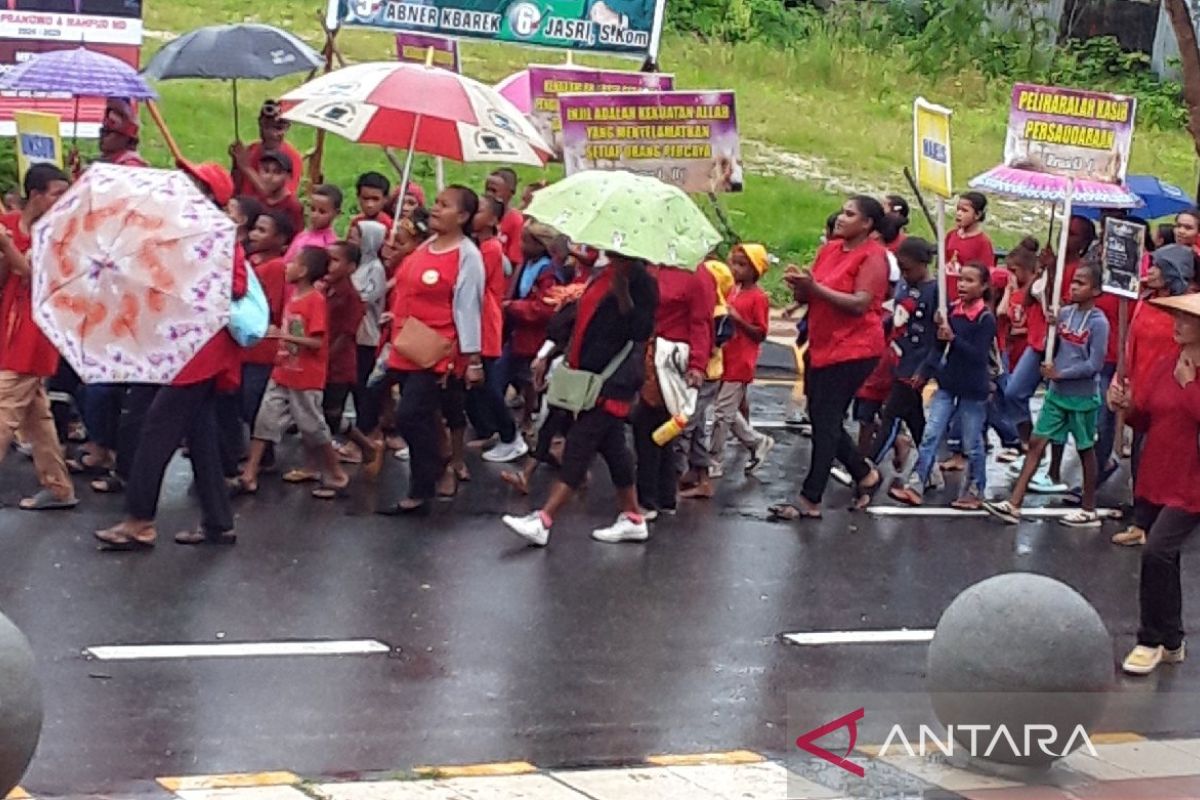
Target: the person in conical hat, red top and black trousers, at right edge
pixel 1167 411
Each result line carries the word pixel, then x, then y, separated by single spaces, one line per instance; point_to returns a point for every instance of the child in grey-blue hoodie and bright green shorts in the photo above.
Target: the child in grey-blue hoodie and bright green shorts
pixel 1072 404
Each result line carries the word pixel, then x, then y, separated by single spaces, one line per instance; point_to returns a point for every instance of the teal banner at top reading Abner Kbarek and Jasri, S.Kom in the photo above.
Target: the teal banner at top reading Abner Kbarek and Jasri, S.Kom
pixel 622 27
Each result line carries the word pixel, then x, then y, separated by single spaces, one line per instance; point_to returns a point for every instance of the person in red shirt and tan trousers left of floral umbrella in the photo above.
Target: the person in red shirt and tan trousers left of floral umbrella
pixel 27 358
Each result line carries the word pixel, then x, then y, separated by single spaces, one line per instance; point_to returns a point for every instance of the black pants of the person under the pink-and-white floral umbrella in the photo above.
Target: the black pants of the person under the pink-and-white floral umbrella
pixel 179 412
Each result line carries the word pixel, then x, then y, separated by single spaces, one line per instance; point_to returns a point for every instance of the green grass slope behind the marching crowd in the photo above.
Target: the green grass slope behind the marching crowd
pixel 839 104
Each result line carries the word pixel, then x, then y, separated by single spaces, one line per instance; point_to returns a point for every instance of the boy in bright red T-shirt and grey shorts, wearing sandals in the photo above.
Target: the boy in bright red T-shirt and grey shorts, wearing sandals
pixel 298 382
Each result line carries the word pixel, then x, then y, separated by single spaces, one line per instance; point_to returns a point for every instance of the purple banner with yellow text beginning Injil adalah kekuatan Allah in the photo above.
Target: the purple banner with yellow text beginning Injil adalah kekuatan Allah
pixel 689 140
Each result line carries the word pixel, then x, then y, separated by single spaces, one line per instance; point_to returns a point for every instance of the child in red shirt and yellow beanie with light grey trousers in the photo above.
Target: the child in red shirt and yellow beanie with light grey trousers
pixel 749 310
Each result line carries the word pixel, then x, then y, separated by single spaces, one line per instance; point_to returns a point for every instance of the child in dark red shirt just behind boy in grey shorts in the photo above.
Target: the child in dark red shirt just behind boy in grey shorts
pixel 346 309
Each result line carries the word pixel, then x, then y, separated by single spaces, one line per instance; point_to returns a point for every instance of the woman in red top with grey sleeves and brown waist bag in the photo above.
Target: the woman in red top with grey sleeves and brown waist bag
pixel 441 287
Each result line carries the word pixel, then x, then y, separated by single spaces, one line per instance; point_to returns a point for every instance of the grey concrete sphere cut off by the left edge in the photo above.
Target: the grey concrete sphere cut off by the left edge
pixel 21 706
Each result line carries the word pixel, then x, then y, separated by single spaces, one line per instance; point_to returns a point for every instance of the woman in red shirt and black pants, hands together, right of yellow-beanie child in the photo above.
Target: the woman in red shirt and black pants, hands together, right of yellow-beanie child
pixel 845 293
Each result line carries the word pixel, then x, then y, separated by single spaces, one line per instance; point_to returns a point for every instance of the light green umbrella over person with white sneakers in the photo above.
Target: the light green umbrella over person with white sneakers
pixel 633 215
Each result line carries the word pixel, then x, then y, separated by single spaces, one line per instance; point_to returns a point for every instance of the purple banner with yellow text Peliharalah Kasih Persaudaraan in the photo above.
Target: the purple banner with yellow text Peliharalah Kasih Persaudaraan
pixel 1071 133
